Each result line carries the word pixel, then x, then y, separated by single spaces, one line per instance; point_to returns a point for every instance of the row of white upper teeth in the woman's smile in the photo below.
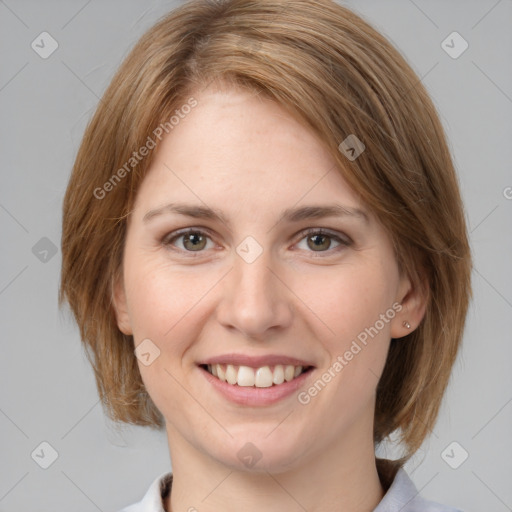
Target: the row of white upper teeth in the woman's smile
pixel 262 377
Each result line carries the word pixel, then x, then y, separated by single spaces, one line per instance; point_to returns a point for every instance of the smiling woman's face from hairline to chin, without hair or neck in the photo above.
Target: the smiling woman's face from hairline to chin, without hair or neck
pixel 252 287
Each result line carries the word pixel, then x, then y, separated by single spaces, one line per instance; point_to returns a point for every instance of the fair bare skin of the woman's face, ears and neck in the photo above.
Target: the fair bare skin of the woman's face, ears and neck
pixel 249 158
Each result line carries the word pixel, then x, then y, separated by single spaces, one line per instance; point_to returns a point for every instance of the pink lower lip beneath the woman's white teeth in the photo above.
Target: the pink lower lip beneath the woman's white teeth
pixel 250 395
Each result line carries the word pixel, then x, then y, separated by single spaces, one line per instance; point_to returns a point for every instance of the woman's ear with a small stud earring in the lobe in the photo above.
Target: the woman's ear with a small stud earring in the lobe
pixel 413 297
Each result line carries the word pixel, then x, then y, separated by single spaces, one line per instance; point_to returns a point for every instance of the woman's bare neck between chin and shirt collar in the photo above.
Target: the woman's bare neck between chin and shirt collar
pixel 344 477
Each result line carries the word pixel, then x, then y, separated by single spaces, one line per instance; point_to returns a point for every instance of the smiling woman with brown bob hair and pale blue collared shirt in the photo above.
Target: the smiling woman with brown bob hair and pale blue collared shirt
pixel 265 250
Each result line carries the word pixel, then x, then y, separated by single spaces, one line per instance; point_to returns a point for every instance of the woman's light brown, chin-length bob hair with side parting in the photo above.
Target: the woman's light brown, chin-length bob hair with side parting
pixel 335 73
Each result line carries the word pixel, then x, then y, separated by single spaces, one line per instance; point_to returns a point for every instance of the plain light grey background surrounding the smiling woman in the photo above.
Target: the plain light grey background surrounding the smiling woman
pixel 47 390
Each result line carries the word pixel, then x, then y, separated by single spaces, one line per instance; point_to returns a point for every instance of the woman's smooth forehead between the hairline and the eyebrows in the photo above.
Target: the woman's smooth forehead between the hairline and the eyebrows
pixel 238 148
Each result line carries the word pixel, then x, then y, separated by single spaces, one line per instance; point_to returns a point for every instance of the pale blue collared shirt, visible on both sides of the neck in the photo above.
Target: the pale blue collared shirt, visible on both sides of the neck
pixel 402 496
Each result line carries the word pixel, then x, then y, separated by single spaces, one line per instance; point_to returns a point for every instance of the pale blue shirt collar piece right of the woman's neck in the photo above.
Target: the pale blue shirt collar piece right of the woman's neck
pixel 403 496
